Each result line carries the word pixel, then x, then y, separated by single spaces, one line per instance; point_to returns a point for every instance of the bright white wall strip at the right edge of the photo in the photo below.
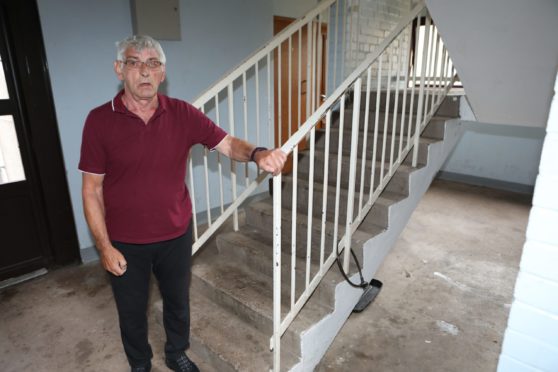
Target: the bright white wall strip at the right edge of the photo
pixel 531 341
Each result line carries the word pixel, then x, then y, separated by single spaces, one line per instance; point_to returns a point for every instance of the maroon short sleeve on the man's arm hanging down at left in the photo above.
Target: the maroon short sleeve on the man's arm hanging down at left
pixel 93 158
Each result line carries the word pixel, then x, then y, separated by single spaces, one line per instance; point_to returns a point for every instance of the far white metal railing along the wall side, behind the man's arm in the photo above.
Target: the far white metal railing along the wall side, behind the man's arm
pixel 246 95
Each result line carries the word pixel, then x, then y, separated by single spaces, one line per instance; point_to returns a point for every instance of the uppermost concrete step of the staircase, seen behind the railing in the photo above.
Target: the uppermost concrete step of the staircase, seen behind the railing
pixel 449 107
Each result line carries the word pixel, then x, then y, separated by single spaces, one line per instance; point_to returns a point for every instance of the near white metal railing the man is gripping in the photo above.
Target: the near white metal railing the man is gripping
pixel 376 148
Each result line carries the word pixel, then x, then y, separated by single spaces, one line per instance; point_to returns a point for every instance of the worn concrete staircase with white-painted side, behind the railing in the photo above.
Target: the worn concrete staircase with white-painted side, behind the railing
pixel 232 277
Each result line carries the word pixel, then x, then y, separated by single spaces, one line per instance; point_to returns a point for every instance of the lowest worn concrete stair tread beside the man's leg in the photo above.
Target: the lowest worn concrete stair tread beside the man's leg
pixel 220 330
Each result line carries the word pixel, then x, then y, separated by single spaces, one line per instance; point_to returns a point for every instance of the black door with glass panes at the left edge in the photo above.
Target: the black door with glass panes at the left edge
pixel 36 224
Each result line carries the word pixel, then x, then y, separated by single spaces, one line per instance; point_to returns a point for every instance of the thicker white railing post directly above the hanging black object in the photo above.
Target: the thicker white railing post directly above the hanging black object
pixel 352 173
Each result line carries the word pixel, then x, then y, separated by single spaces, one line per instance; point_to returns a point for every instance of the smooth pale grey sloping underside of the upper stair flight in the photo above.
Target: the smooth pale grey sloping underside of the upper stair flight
pixel 506 54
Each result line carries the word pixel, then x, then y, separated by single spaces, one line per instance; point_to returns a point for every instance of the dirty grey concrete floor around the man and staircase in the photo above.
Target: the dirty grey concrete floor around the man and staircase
pixel 448 287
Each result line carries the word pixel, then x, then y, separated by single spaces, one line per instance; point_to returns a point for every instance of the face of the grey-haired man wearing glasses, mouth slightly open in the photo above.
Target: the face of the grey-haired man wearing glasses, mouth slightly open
pixel 140 82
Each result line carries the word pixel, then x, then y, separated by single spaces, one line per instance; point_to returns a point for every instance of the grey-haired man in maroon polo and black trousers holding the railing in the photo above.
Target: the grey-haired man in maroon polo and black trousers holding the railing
pixel 133 160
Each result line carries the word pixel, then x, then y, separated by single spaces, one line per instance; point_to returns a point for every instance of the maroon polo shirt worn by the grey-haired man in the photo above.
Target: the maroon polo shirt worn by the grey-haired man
pixel 144 190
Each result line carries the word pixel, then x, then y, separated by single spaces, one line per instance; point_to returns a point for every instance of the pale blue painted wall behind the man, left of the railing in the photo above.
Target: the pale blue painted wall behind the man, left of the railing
pixel 79 39
